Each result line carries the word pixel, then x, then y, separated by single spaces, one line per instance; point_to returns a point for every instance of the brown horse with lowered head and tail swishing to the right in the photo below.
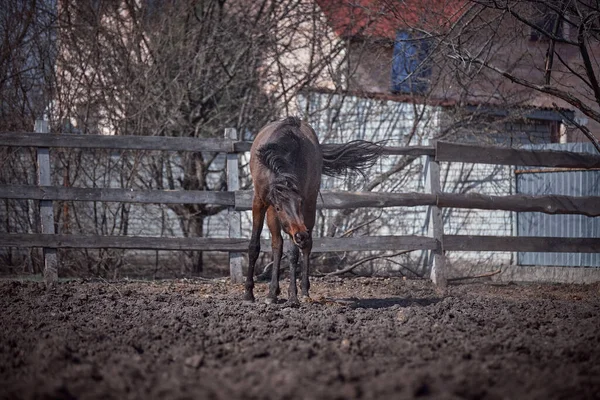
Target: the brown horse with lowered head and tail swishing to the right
pixel 286 163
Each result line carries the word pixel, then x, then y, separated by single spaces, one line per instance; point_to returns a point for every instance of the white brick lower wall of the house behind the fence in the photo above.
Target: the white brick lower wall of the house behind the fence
pixel 340 118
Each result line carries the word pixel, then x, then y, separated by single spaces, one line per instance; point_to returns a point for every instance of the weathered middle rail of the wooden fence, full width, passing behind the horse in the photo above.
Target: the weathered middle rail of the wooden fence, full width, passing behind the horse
pixel 242 200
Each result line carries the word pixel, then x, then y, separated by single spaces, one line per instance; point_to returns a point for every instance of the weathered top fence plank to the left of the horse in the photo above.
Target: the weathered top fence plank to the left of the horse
pixel 116 142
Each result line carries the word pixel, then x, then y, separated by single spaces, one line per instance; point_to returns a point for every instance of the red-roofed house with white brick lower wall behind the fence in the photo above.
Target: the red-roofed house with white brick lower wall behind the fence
pixel 396 90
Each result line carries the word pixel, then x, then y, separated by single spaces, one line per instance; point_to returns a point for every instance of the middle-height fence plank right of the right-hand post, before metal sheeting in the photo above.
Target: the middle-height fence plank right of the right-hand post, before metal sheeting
pixel 549 204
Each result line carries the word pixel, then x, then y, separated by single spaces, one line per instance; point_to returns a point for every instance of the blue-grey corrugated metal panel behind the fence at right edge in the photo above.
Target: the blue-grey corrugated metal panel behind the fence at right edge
pixel 572 183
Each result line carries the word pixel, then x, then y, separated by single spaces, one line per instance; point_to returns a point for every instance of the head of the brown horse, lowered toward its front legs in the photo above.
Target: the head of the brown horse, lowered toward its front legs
pixel 289 206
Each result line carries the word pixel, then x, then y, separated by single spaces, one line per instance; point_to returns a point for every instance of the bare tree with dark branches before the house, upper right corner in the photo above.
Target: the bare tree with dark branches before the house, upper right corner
pixel 537 53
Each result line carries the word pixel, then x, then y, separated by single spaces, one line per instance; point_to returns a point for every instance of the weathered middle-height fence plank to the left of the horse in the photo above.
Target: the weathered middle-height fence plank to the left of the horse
pixel 116 195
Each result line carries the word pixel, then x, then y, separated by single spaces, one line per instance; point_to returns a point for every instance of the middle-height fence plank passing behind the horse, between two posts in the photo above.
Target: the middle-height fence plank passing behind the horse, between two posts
pixel 342 200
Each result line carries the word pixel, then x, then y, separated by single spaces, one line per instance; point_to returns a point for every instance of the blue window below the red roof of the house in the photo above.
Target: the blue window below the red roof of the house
pixel 410 68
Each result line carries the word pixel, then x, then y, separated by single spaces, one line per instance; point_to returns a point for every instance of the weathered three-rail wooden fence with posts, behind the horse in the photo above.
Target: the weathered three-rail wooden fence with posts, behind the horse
pixel 238 200
